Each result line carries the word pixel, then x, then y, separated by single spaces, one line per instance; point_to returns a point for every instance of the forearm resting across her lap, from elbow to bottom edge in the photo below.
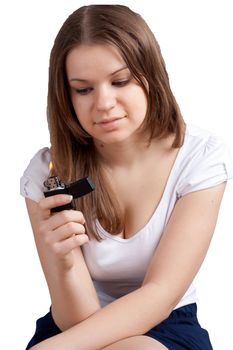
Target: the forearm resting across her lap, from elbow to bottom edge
pixel 133 314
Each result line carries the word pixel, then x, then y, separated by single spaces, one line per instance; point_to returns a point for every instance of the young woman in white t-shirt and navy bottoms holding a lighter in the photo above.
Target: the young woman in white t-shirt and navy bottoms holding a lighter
pixel 120 268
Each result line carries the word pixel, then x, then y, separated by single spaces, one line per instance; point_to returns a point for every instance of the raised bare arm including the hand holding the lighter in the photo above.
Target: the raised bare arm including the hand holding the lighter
pixel 58 239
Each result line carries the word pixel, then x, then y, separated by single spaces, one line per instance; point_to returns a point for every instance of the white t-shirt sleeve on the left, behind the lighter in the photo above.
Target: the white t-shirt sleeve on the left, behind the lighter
pixel 31 182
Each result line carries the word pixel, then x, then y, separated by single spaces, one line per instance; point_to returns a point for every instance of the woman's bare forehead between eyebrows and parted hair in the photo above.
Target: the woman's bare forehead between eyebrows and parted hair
pixel 91 59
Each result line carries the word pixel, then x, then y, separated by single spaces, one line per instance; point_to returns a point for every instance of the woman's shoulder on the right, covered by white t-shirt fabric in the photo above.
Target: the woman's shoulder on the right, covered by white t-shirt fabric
pixel 206 160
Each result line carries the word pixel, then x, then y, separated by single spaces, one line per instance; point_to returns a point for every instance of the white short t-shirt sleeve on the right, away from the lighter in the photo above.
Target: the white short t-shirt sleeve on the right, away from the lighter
pixel 211 165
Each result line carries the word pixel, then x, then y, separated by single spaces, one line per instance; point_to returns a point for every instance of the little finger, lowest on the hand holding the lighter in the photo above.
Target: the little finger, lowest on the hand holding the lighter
pixel 64 247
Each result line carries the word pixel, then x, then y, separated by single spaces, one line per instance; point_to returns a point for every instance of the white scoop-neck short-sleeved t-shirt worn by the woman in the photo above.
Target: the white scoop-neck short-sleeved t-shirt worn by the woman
pixel 118 266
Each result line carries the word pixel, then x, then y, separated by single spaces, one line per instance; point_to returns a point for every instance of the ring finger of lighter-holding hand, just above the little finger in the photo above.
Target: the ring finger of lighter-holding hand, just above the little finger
pixel 66 231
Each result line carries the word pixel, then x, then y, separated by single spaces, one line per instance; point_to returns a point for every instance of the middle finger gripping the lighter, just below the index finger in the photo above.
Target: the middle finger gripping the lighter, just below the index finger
pixel 64 217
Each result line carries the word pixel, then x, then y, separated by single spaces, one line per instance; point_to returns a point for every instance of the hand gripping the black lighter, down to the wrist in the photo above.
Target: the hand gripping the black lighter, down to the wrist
pixel 60 233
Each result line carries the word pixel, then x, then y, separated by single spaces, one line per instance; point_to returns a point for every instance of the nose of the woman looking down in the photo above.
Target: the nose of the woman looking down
pixel 105 99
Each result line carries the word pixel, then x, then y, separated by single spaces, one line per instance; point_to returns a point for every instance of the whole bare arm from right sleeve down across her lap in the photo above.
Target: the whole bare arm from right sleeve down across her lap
pixel 176 261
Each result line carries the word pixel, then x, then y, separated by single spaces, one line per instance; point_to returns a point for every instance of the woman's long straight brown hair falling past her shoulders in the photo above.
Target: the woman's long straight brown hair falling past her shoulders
pixel 72 149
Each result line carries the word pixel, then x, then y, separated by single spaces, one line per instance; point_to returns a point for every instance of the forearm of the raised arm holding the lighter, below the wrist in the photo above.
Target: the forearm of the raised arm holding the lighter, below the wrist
pixel 73 295
